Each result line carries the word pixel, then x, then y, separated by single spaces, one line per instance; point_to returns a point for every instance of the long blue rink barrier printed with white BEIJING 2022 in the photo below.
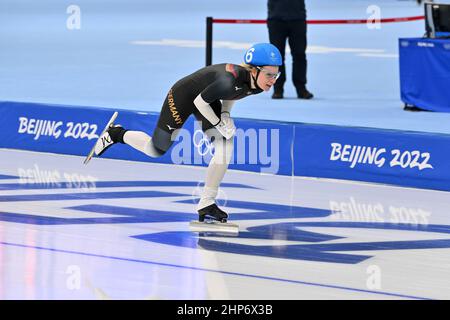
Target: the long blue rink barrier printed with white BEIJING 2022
pixel 401 158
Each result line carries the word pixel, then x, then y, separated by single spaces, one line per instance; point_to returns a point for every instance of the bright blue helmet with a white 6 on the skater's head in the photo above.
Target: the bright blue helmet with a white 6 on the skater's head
pixel 263 54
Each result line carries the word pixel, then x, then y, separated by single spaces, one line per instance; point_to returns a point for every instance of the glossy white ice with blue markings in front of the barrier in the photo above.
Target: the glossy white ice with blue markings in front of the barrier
pixel 119 230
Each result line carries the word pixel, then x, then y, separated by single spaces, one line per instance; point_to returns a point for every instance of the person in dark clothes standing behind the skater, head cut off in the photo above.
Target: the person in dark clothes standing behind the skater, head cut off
pixel 287 21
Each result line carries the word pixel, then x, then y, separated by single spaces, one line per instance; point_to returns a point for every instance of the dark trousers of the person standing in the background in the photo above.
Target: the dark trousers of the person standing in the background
pixel 295 32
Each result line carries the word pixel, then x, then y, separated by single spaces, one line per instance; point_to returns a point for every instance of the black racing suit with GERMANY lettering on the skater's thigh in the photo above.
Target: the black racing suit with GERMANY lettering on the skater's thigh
pixel 214 83
